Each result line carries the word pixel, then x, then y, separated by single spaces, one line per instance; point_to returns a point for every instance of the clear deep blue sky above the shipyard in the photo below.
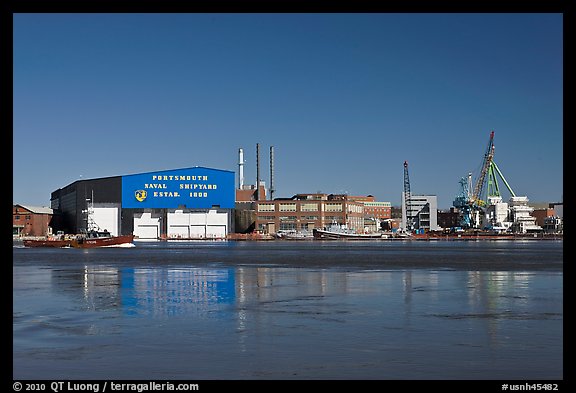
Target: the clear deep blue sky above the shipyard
pixel 343 98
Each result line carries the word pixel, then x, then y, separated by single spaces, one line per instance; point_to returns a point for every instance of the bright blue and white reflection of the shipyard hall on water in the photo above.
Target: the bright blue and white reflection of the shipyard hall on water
pixel 157 291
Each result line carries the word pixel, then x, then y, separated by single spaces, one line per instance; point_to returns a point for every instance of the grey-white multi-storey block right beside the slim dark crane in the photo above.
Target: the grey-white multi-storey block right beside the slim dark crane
pixel 423 211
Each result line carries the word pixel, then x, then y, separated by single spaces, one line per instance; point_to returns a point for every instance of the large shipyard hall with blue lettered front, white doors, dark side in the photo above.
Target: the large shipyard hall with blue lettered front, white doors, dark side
pixel 187 203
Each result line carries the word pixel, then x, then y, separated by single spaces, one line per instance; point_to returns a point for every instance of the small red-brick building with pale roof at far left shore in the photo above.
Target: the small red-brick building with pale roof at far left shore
pixel 32 220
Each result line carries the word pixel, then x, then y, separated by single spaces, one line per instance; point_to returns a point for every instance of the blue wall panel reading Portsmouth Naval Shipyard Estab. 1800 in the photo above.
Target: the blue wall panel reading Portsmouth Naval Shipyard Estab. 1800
pixel 194 188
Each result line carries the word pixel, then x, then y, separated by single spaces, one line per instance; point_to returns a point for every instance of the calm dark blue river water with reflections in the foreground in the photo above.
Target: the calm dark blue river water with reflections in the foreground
pixel 290 310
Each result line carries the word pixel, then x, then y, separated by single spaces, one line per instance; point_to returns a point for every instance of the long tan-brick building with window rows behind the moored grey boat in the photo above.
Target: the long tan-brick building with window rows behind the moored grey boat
pixel 305 212
